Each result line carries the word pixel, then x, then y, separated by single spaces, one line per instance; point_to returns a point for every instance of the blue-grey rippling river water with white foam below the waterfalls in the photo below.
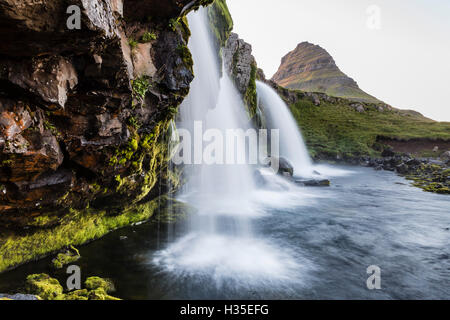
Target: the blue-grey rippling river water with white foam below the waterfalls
pixel 314 243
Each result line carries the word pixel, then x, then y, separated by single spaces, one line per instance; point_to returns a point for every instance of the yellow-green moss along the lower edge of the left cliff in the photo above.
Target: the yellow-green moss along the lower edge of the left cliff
pixel 76 227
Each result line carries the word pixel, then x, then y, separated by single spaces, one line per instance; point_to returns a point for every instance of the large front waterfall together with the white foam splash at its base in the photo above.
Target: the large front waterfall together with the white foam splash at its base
pixel 220 242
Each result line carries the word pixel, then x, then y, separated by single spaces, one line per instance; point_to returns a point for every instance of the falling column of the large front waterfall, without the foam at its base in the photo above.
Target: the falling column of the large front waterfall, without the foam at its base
pixel 214 101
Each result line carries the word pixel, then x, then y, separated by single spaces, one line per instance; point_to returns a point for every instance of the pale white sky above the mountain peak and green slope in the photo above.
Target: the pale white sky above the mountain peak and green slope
pixel 406 62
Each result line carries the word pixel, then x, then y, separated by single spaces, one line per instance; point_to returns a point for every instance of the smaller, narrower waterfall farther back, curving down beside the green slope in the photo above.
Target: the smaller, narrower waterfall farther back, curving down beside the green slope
pixel 278 116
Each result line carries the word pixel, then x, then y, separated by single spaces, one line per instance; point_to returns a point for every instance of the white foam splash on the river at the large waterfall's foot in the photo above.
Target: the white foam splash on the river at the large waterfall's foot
pixel 248 259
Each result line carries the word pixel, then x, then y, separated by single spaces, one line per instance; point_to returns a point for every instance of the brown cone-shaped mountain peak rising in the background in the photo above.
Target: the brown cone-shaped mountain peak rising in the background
pixel 311 68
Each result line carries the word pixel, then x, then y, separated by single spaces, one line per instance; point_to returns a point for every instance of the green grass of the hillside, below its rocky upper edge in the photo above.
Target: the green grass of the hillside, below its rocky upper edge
pixel 338 129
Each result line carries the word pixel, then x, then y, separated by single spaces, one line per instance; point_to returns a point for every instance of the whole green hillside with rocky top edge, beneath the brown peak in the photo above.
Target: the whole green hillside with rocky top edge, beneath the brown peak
pixel 338 128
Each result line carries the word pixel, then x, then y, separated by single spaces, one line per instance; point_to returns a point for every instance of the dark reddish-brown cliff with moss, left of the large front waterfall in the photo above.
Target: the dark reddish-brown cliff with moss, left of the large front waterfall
pixel 85 117
